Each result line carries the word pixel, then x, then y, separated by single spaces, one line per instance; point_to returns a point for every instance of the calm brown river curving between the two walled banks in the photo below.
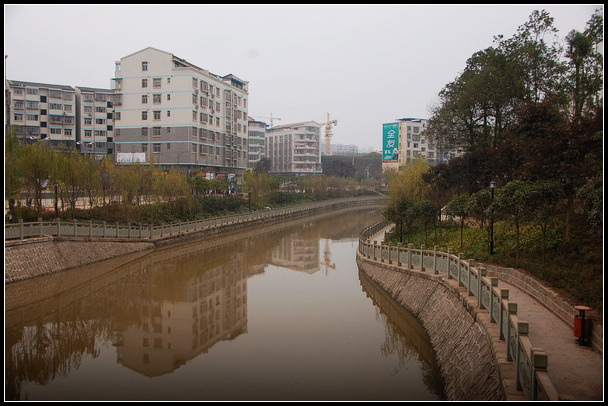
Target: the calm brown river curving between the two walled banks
pixel 278 312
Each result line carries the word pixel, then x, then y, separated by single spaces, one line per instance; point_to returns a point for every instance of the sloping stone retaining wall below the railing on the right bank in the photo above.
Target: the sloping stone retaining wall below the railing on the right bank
pixel 464 351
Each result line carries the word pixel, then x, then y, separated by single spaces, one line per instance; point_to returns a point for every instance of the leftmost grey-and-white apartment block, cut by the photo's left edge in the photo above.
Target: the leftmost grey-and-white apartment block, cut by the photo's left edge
pixel 41 111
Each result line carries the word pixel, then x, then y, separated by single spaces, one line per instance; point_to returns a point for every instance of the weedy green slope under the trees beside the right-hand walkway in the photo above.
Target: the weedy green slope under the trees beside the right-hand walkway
pixel 573 267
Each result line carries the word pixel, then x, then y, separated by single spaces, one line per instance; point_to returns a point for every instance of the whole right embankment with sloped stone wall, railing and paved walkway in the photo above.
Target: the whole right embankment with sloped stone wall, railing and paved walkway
pixel 544 354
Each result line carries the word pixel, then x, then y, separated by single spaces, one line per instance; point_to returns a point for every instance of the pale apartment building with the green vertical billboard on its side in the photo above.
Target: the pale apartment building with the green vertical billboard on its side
pixel 405 140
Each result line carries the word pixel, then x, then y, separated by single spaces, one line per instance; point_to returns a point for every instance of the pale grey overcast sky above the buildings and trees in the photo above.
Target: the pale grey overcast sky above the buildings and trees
pixel 364 64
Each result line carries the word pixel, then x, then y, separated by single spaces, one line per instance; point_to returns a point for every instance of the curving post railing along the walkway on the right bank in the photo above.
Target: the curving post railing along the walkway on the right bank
pixel 530 362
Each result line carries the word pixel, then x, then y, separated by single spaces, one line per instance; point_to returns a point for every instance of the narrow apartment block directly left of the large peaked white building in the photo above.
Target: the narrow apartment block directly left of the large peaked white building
pixel 95 121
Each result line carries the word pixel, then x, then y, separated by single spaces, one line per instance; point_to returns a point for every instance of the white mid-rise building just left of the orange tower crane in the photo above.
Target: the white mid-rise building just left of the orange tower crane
pixel 295 149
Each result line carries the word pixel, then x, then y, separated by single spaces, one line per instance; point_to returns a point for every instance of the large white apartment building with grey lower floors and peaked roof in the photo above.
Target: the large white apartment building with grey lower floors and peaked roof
pixel 175 114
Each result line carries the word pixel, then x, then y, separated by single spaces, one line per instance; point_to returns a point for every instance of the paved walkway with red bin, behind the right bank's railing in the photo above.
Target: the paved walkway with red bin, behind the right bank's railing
pixel 576 371
